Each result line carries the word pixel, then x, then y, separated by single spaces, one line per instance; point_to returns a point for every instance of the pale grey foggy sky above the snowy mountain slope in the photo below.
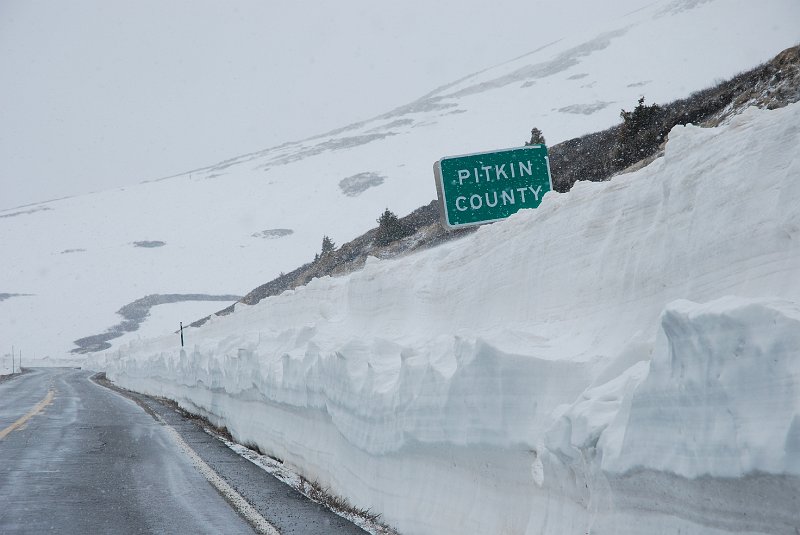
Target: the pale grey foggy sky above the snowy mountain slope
pixel 98 94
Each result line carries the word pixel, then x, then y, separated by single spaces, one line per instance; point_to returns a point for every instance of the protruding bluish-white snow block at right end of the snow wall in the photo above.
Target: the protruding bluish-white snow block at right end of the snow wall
pixel 725 387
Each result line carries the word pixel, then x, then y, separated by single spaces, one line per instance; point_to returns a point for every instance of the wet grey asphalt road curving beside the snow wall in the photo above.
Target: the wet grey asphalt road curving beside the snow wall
pixel 76 457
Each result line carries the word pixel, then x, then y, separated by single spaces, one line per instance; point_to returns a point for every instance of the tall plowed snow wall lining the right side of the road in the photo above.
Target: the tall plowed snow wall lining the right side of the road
pixel 625 359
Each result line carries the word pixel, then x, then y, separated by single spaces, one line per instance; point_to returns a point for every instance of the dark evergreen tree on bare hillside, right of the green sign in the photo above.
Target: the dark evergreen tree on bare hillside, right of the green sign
pixel 641 133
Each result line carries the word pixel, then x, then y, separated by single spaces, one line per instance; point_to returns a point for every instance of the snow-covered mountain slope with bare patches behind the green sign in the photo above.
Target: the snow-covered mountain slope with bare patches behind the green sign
pixel 72 264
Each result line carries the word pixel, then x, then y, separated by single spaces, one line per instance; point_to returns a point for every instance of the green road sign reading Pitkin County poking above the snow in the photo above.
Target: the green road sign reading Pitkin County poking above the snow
pixel 484 187
